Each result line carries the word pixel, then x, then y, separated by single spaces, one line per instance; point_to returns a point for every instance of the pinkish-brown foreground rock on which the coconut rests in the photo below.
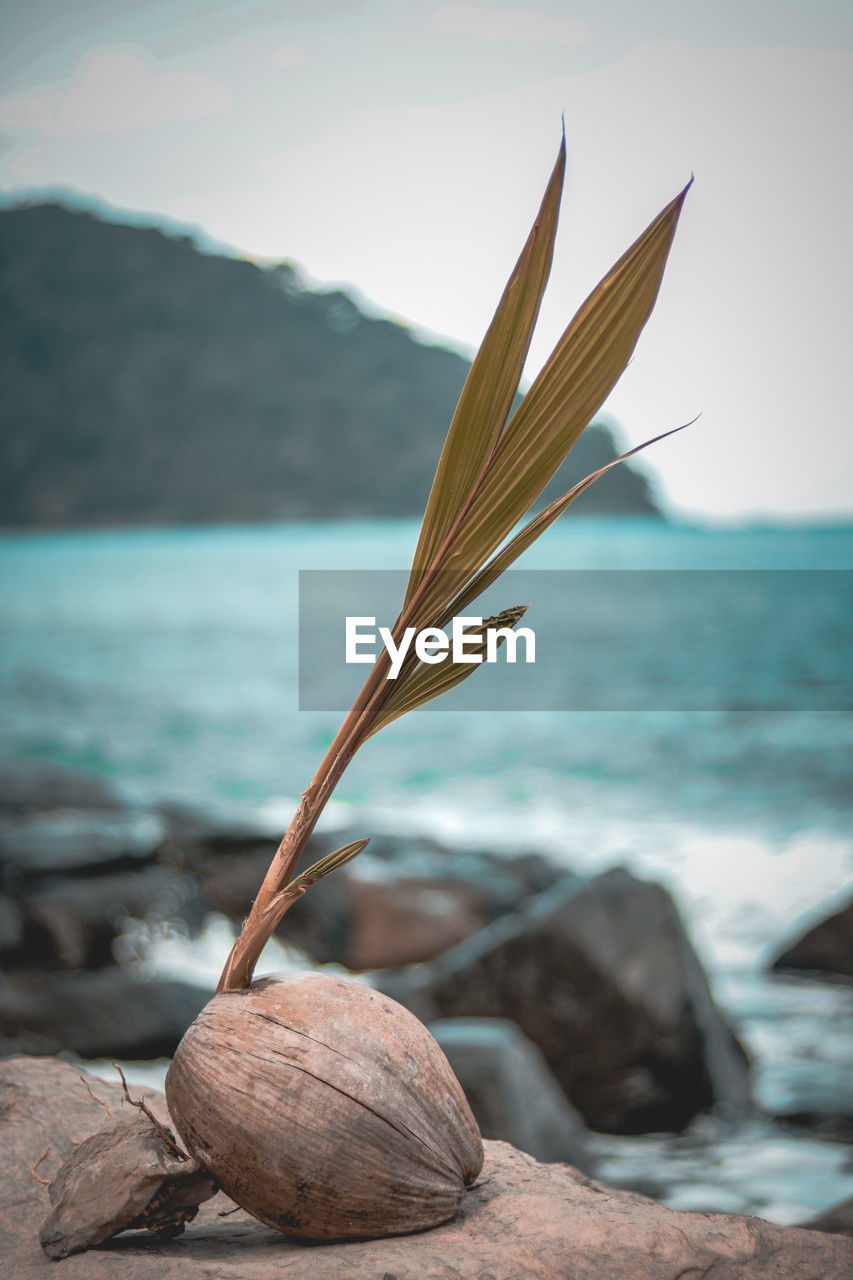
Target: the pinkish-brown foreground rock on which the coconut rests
pixel 521 1219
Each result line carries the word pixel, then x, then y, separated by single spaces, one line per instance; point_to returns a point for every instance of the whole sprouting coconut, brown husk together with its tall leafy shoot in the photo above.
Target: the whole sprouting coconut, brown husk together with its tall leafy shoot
pixel 320 1105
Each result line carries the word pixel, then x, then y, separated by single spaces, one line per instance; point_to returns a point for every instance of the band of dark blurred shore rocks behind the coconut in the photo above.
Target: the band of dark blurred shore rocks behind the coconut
pixel 568 1007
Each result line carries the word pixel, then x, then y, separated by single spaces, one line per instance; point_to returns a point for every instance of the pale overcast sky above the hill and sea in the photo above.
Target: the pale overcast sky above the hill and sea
pixel 400 149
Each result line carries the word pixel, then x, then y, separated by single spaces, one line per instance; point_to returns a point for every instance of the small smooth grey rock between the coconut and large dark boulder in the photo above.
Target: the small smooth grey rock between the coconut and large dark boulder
pixel 510 1090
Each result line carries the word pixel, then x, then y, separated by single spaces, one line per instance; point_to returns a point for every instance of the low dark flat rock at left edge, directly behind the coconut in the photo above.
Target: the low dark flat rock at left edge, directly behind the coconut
pixel 110 1013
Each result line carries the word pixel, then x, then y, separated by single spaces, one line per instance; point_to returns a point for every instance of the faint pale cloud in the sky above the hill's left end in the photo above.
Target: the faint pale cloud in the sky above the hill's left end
pixel 115 89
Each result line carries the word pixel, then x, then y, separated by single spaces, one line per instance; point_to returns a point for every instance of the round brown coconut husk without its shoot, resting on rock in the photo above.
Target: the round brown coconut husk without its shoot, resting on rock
pixel 325 1109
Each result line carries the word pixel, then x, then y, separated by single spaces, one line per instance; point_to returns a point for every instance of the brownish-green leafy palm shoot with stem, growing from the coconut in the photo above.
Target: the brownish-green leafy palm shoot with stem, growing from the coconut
pixel 491 472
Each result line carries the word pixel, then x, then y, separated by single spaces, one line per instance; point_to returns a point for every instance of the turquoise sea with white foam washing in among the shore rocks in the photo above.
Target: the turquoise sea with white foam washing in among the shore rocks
pixel 170 661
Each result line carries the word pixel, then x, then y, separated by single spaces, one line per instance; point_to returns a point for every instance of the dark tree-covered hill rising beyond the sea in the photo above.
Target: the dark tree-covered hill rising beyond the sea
pixel 147 382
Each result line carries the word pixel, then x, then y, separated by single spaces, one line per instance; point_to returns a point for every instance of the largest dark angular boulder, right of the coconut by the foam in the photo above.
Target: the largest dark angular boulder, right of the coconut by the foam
pixel 603 979
